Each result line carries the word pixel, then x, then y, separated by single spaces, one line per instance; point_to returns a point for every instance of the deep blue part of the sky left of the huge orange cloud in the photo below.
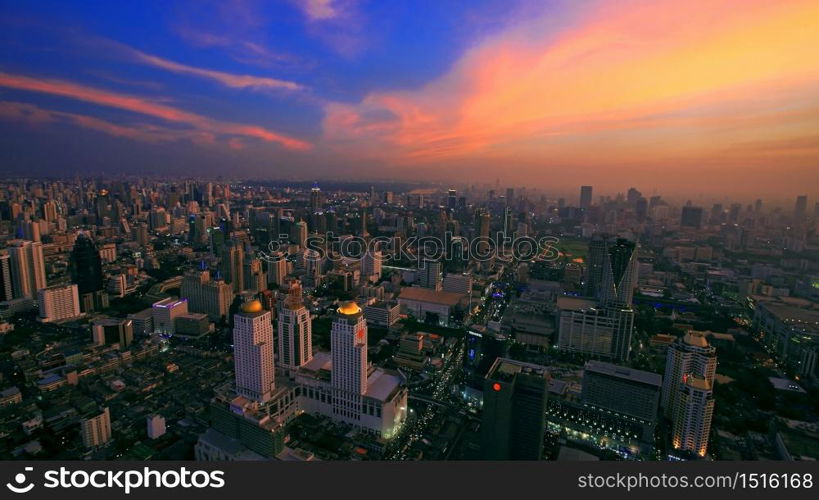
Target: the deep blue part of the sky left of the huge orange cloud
pixel 338 54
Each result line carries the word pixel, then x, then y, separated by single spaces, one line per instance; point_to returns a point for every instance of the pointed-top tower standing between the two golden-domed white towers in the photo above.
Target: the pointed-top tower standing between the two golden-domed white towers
pixel 295 331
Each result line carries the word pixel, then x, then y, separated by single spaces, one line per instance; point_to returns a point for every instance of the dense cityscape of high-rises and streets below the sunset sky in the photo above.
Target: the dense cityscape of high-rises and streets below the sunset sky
pixel 150 318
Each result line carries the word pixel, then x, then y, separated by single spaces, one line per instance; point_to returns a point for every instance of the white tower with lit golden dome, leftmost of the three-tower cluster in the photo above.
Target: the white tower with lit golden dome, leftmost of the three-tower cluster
pixel 253 352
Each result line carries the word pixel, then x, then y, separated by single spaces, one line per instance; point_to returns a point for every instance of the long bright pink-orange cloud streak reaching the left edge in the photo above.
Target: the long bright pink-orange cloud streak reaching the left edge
pixel 148 108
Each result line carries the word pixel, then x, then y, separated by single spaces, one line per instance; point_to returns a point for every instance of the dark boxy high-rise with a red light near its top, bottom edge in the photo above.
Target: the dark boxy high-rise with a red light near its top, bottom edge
pixel 514 411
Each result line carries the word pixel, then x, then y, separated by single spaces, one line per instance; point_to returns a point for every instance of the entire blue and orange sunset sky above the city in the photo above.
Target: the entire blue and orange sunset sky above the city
pixel 666 95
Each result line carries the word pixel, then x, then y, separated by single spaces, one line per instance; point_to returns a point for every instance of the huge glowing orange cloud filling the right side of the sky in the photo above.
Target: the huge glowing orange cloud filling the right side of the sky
pixel 631 82
